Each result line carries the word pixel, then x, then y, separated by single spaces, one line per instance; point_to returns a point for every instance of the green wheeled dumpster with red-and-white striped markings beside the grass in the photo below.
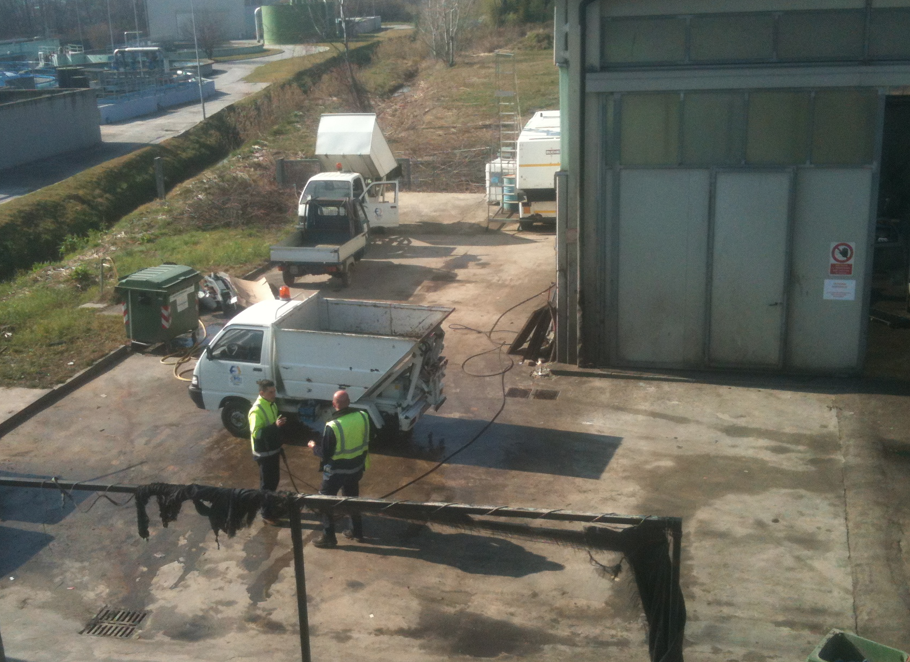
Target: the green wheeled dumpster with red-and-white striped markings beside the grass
pixel 159 303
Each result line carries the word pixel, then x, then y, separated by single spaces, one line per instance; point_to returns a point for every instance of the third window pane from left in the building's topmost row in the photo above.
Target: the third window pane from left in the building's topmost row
pixel 820 35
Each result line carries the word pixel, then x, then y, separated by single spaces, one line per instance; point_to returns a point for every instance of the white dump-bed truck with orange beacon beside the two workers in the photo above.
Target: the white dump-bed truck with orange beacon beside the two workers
pixel 388 356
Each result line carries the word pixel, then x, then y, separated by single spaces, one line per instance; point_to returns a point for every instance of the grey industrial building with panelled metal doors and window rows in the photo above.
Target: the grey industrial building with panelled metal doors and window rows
pixel 723 167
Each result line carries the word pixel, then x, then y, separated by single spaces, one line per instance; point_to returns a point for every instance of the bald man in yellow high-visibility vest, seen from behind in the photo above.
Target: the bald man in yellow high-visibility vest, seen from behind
pixel 344 456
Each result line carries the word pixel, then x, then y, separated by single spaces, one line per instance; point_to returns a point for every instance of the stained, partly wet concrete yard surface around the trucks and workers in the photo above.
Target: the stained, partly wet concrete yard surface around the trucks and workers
pixel 793 493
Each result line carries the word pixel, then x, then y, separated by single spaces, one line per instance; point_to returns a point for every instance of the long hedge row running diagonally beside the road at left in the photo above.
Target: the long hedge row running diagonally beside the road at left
pixel 33 227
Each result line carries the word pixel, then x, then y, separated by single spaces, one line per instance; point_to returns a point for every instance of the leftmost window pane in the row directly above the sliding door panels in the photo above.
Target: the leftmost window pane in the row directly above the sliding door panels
pixel 650 129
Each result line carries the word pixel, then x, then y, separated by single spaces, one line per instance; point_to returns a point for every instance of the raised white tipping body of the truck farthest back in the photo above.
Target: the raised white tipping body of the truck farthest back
pixel 355 141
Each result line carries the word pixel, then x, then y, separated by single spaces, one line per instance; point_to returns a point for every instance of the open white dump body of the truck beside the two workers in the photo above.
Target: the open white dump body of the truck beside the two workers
pixel 327 344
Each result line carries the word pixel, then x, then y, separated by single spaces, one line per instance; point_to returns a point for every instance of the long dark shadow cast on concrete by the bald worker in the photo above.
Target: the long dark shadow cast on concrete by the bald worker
pixel 470 553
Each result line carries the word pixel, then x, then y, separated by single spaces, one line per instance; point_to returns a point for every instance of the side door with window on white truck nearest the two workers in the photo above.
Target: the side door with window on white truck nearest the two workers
pixel 235 362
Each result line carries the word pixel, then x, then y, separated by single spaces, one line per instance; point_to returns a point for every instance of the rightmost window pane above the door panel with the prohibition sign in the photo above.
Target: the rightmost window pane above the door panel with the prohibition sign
pixel 843 127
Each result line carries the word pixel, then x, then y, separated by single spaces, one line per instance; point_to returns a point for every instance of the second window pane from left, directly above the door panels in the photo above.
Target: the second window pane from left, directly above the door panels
pixel 713 128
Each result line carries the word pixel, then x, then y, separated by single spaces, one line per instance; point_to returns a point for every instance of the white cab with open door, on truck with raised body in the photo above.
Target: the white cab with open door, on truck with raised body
pixel 379 199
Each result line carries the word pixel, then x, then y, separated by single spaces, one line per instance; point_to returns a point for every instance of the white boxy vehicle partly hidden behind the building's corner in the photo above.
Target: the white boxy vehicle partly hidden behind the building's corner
pixel 538 161
